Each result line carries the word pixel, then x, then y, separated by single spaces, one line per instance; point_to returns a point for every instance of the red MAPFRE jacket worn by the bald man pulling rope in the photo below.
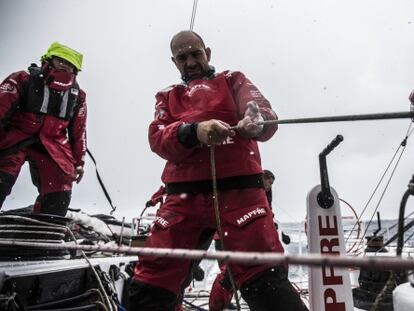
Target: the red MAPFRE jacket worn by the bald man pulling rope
pixel 223 97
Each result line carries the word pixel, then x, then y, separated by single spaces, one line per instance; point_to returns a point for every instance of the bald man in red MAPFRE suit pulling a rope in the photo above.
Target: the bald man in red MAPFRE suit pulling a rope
pixel 190 117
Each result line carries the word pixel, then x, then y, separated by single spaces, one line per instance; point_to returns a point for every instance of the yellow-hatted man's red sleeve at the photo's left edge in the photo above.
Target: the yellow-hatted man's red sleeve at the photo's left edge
pixel 10 93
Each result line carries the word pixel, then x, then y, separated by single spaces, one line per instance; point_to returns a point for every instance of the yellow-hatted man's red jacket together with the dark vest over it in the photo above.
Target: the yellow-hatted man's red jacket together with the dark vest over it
pixel 62 132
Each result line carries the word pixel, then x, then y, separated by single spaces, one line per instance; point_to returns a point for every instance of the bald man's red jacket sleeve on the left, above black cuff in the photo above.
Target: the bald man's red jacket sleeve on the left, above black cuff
pixel 163 133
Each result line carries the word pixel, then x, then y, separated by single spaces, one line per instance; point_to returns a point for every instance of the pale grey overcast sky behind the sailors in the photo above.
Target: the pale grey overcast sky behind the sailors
pixel 309 58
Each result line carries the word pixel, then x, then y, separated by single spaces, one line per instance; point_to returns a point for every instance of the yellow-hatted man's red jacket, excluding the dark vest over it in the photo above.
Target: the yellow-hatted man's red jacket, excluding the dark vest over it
pixel 65 140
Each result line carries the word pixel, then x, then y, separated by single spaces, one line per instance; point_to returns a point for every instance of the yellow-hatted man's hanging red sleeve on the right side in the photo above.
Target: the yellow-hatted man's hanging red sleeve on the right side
pixel 77 132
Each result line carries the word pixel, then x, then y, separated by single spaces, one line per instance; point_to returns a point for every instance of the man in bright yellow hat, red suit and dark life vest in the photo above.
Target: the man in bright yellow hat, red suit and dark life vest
pixel 43 121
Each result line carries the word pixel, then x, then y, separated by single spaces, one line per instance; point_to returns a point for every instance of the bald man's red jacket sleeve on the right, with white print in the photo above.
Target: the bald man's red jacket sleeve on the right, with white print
pixel 245 91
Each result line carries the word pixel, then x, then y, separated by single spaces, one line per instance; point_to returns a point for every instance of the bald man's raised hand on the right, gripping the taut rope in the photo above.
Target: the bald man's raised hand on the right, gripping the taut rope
pixel 247 127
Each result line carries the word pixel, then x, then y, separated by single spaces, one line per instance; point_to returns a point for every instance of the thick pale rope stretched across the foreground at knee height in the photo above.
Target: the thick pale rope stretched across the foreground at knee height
pixel 392 263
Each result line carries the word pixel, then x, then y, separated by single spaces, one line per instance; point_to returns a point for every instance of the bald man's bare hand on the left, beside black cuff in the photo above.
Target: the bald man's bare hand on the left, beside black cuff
pixel 213 132
